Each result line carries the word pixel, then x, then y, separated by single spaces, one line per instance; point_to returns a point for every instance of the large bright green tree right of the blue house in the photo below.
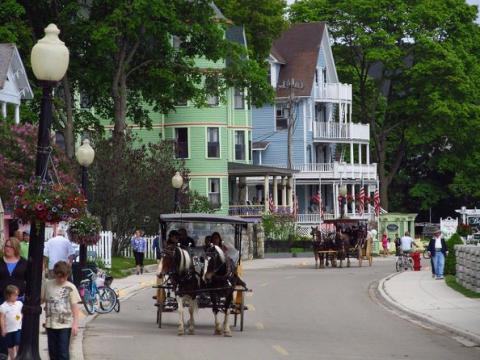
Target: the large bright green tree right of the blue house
pixel 413 72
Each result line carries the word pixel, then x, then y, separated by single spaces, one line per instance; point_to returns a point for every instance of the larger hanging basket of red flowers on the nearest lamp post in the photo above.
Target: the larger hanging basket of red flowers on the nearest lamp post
pixel 47 202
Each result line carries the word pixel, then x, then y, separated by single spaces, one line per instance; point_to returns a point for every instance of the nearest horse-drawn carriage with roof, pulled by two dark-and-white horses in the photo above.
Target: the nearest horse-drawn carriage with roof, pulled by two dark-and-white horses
pixel 205 275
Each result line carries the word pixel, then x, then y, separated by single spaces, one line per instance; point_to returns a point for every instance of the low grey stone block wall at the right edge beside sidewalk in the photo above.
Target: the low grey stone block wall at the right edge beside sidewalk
pixel 468 266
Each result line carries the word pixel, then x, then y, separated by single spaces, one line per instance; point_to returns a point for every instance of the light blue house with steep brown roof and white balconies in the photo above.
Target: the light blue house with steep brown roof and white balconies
pixel 329 151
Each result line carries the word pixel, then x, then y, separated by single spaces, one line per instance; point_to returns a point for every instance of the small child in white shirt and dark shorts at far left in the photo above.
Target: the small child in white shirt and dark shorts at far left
pixel 11 320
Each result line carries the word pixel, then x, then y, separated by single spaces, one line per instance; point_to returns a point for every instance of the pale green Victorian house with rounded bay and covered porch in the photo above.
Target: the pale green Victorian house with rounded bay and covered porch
pixel 215 143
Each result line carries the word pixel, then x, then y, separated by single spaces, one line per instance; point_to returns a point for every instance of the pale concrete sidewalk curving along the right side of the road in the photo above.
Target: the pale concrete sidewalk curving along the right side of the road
pixel 433 301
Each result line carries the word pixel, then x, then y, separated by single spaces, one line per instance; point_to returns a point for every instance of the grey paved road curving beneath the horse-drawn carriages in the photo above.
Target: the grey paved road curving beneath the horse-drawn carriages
pixel 296 313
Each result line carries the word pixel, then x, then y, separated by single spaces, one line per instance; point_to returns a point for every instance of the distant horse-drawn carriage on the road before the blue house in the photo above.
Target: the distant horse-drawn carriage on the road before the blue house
pixel 338 240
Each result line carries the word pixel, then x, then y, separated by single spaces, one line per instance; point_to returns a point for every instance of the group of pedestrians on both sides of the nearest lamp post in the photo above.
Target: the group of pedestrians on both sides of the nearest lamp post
pixel 59 296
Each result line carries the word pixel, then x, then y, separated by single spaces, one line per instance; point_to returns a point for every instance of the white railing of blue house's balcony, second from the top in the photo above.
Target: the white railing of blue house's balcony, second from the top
pixel 336 131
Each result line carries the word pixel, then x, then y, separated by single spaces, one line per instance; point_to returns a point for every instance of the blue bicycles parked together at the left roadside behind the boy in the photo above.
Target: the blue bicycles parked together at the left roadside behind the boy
pixel 96 293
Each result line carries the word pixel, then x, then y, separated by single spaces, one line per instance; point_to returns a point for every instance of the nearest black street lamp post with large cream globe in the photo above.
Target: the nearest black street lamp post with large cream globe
pixel 49 59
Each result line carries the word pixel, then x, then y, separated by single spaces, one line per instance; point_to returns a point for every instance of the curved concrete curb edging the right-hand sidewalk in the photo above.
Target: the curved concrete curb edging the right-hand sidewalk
pixel 463 336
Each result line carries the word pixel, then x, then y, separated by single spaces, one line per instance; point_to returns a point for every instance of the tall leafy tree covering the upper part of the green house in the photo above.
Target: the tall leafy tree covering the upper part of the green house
pixel 139 52
